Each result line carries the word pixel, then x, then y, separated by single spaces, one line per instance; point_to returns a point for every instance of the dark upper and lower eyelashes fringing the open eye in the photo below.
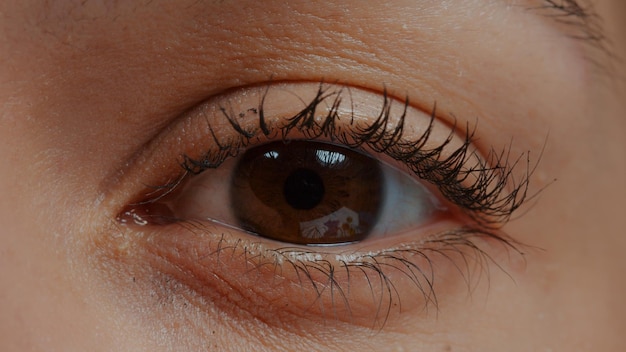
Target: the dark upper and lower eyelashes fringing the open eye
pixel 489 200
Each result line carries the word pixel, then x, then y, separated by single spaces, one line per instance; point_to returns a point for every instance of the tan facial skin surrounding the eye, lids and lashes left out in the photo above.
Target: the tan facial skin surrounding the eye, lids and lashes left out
pixel 87 89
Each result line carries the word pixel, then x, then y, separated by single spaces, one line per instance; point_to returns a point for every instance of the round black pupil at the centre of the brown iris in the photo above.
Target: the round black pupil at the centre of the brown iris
pixel 303 189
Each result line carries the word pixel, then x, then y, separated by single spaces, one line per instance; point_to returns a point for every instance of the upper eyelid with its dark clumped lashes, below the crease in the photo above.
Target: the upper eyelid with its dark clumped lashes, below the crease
pixel 491 202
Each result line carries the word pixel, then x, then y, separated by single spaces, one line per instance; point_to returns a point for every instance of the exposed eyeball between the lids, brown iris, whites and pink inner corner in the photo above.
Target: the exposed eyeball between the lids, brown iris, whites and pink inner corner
pixel 301 192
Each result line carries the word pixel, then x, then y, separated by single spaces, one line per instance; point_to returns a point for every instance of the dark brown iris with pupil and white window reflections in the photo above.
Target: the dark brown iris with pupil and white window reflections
pixel 307 192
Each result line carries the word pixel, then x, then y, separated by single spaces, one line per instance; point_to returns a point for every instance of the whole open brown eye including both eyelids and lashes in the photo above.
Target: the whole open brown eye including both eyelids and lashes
pixel 321 201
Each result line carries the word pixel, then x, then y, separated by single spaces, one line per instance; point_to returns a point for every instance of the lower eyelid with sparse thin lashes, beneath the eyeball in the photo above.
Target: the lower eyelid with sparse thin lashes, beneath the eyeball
pixel 357 284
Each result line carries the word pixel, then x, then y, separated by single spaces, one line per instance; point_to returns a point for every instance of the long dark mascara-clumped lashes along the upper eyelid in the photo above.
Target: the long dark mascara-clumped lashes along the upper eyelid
pixel 485 189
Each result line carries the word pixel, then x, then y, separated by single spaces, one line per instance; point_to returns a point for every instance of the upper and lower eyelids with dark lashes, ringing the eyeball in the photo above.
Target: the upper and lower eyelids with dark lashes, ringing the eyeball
pixel 360 283
